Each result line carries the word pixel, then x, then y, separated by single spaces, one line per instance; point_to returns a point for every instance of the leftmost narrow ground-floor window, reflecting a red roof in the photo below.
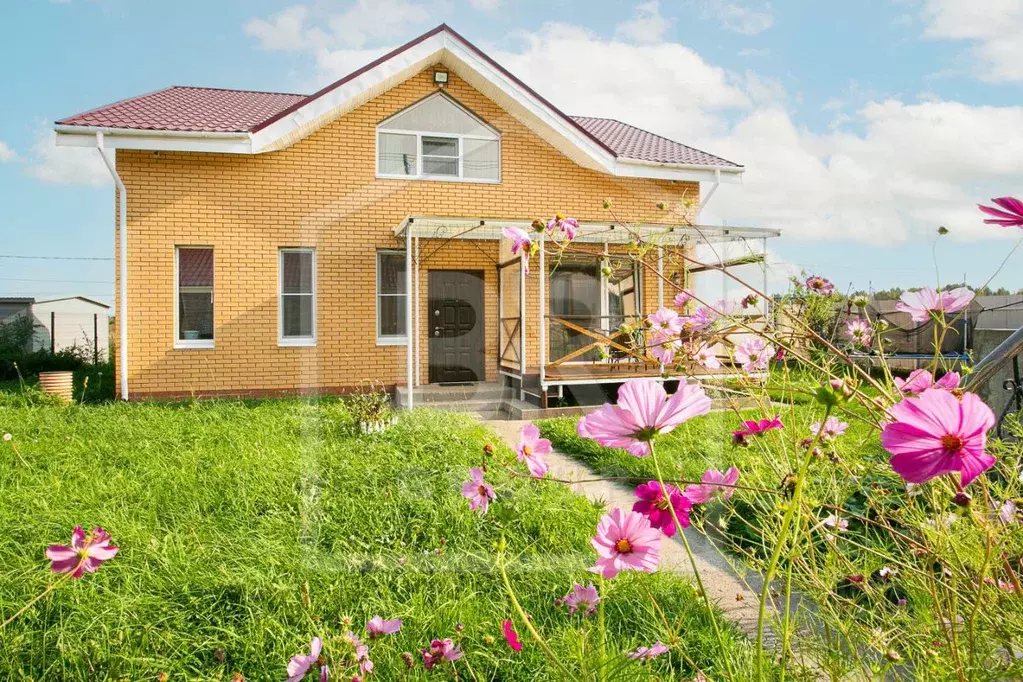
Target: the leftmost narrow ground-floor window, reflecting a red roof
pixel 194 321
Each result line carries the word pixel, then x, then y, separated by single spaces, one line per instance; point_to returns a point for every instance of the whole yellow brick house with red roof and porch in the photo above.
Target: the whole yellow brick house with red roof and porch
pixel 268 234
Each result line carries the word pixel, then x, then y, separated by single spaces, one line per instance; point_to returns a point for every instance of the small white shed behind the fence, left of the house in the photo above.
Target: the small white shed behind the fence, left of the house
pixel 74 322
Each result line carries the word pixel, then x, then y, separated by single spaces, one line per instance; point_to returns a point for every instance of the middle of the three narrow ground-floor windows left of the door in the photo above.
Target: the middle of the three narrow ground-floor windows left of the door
pixel 298 297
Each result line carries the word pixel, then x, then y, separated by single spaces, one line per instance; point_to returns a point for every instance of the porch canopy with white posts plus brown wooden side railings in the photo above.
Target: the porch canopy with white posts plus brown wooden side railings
pixel 512 344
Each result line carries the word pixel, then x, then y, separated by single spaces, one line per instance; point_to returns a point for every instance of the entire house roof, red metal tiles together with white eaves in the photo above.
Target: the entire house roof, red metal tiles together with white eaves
pixel 248 122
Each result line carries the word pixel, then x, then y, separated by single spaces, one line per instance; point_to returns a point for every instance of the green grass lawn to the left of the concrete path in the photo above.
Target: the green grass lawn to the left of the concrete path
pixel 249 528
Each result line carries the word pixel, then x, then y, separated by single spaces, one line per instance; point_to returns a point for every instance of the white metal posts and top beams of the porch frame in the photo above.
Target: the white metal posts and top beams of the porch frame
pixel 414 229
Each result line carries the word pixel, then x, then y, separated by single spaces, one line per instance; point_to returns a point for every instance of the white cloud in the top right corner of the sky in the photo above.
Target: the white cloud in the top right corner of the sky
pixel 992 27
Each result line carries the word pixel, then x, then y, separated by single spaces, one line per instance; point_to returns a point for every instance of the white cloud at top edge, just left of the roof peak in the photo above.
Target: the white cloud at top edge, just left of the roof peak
pixel 363 23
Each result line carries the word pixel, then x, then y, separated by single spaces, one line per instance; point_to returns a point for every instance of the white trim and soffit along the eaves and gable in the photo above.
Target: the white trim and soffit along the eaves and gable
pixel 444 48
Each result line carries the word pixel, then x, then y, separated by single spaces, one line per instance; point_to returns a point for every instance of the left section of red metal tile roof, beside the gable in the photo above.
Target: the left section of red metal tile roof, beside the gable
pixel 187 109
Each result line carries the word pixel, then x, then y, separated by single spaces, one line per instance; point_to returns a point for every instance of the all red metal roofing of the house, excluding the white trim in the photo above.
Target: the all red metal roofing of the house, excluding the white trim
pixel 212 110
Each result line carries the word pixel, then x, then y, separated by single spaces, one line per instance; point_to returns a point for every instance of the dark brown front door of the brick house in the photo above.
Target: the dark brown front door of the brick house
pixel 456 327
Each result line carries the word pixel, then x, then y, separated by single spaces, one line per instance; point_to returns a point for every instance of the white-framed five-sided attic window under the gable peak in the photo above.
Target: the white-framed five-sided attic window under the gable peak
pixel 438 140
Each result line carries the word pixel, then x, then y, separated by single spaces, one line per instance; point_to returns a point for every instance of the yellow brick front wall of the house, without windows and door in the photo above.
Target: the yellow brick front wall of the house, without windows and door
pixel 323 193
